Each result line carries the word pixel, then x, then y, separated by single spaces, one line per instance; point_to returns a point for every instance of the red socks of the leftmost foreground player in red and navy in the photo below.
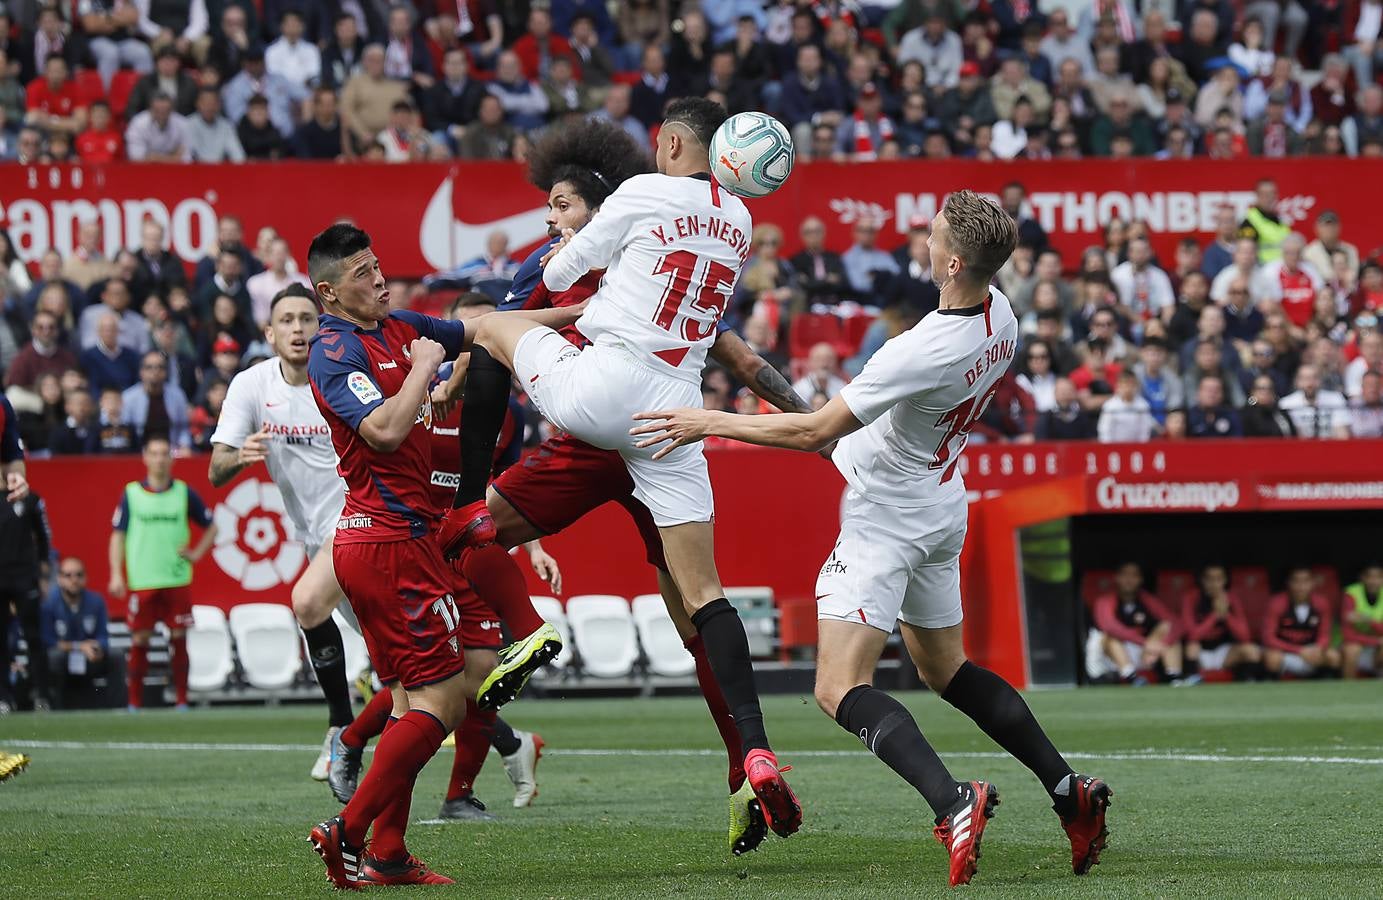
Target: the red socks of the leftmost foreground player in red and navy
pixel 400 756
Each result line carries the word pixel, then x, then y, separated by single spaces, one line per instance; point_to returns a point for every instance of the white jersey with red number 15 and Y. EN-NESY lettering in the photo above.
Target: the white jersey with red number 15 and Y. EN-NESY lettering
pixel 673 250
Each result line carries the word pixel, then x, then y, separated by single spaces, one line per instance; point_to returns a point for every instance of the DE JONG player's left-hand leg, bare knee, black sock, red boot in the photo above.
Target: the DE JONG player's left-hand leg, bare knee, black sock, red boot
pixel 847 659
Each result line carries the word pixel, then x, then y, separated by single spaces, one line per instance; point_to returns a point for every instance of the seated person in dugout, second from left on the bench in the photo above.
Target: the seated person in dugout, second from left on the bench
pixel 1216 628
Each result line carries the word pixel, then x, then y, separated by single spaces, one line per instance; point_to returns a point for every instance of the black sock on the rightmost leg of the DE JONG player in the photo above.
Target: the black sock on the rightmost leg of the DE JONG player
pixel 1002 714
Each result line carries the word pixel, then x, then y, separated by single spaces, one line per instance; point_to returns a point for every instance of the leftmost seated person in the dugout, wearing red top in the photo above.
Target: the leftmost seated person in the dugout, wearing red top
pixel 1136 631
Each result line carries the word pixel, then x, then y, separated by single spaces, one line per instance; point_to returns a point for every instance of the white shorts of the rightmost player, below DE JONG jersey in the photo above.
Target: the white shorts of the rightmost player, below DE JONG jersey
pixel 893 563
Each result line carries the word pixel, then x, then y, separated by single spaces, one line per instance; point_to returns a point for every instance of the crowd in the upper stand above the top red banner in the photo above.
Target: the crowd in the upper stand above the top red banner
pixel 216 81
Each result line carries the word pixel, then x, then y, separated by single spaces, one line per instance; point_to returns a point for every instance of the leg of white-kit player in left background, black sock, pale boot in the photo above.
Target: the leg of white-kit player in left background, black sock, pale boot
pixel 315 598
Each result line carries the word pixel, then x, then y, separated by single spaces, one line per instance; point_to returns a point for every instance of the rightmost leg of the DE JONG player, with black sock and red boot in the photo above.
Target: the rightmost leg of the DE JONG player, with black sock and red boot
pixel 1001 713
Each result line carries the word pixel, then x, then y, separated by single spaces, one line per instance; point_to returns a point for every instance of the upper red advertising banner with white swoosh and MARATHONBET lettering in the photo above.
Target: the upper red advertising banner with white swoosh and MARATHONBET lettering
pixel 431 216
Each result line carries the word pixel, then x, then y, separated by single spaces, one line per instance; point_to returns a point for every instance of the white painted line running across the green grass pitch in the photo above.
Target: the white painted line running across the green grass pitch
pixel 1110 757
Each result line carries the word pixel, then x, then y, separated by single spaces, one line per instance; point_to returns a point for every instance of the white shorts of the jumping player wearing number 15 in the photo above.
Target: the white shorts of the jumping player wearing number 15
pixel 594 395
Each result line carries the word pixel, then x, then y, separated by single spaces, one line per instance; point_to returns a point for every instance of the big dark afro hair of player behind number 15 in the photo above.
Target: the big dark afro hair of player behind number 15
pixel 593 157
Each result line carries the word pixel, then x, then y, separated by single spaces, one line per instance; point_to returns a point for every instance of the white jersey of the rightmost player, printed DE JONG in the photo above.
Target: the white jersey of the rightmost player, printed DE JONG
pixel 919 397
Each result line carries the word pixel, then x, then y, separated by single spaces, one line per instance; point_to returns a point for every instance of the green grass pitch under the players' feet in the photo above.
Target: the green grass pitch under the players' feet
pixel 1220 791
